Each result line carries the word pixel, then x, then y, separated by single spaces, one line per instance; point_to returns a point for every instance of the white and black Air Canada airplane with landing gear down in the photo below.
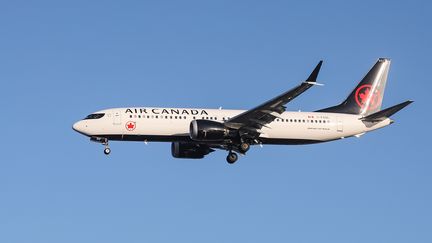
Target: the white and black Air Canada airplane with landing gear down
pixel 195 133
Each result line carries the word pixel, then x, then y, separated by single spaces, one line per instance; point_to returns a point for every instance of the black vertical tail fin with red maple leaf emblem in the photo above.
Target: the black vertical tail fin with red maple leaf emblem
pixel 367 97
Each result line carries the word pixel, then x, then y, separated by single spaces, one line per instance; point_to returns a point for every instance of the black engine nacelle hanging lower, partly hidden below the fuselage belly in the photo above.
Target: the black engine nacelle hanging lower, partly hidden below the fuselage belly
pixel 189 150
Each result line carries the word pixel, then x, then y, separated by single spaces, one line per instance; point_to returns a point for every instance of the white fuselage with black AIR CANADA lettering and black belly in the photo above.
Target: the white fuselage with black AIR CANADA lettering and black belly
pixel 172 124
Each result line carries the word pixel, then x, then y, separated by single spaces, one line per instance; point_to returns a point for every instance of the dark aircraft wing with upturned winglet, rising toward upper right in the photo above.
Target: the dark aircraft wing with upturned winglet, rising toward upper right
pixel 252 120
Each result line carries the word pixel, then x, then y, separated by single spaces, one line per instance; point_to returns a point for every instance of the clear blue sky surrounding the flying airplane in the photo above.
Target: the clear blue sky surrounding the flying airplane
pixel 60 61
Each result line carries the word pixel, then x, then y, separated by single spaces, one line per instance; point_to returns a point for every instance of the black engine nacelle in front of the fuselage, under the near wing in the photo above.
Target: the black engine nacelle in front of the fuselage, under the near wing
pixel 205 130
